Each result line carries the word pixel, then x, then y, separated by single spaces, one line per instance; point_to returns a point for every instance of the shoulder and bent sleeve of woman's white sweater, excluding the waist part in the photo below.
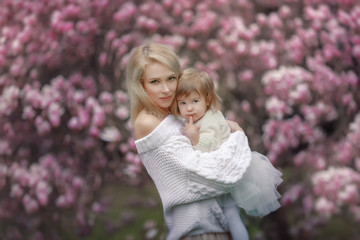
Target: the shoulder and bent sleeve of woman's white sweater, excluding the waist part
pixel 183 175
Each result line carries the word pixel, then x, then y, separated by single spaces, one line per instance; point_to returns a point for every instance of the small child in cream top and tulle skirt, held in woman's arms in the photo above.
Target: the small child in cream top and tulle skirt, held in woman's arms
pixel 206 127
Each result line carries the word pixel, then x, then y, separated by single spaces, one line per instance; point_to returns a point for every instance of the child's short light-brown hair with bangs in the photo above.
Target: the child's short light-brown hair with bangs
pixel 194 80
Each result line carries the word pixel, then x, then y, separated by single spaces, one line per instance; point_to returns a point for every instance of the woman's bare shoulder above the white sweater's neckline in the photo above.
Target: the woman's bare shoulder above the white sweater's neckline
pixel 144 124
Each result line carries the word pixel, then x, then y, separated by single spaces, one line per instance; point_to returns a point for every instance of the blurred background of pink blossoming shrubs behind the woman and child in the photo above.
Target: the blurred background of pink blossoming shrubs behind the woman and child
pixel 287 71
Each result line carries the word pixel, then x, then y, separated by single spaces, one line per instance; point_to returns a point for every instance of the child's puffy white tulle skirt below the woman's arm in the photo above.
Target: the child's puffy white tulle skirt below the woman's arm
pixel 257 192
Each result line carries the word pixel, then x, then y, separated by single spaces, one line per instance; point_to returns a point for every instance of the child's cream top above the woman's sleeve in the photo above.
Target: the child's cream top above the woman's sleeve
pixel 214 130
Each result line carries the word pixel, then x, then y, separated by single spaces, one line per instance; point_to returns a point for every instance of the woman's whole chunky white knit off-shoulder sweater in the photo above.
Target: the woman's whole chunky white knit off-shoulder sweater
pixel 188 180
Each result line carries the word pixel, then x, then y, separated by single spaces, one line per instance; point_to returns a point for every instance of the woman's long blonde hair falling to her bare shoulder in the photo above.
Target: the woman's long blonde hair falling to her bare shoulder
pixel 140 57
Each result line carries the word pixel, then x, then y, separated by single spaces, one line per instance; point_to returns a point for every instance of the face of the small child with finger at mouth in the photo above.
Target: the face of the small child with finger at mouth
pixel 194 105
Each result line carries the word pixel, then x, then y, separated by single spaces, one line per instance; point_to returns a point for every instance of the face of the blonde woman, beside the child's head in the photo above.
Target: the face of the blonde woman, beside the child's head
pixel 160 84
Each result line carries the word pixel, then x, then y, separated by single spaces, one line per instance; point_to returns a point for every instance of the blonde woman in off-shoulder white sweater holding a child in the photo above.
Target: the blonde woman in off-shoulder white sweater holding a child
pixel 188 181
